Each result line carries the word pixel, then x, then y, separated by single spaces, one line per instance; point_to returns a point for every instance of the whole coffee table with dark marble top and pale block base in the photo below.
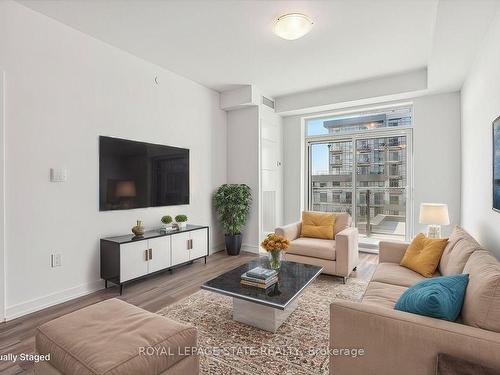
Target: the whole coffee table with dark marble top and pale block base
pixel 267 308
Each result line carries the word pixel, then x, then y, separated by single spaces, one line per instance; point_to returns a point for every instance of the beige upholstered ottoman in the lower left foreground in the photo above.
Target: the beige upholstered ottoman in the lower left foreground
pixel 116 338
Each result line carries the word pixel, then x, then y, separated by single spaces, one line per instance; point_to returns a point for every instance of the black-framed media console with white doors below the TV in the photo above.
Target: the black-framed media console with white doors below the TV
pixel 126 258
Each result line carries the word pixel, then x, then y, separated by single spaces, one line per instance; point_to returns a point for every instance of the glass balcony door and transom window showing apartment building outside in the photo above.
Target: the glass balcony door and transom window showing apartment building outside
pixel 363 160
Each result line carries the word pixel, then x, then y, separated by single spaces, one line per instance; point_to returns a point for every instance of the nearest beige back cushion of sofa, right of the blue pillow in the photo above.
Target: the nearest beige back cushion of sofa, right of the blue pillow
pixel 482 299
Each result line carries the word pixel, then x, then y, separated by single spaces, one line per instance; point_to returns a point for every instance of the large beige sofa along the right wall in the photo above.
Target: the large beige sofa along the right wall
pixel 396 342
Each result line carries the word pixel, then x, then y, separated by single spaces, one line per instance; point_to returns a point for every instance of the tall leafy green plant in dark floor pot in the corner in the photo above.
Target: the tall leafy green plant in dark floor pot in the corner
pixel 232 203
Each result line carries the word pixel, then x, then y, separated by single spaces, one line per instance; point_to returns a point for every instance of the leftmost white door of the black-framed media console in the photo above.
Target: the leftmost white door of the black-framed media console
pixel 133 260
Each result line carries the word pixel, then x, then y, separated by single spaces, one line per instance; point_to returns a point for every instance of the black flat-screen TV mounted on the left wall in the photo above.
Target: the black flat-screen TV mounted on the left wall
pixel 137 174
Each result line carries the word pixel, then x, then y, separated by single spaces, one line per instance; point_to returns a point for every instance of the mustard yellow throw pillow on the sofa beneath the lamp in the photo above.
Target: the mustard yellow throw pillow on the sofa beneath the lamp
pixel 423 254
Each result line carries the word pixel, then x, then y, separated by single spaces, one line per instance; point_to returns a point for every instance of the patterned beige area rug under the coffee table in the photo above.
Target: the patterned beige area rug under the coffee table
pixel 298 347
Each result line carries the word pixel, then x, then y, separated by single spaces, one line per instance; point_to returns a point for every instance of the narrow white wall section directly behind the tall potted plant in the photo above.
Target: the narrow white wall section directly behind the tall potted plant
pixel 243 164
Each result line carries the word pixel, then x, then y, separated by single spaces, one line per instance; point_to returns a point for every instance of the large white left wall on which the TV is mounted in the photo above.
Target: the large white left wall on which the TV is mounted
pixel 63 90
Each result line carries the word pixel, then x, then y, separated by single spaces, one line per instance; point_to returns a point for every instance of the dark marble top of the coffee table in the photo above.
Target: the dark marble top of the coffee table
pixel 293 278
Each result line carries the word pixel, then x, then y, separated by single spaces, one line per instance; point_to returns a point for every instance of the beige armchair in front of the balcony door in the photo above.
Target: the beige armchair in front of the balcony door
pixel 338 257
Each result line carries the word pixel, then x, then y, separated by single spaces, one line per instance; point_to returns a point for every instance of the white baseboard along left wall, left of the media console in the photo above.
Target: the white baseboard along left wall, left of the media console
pixel 48 300
